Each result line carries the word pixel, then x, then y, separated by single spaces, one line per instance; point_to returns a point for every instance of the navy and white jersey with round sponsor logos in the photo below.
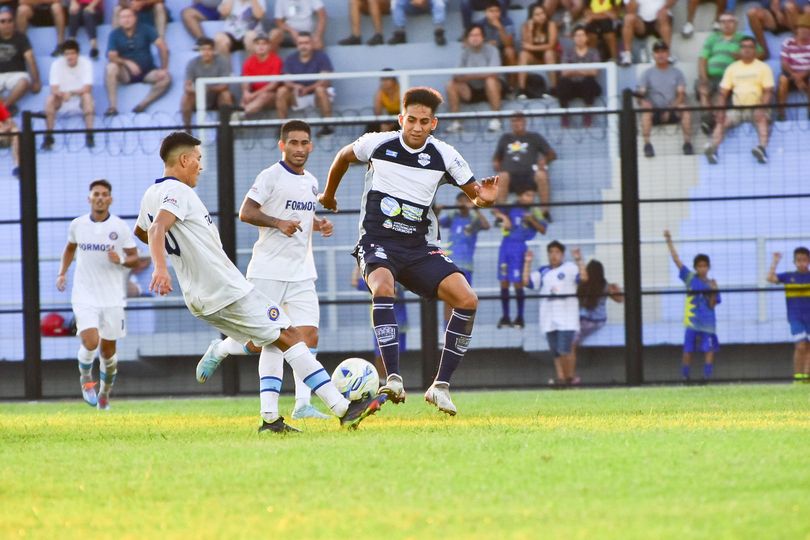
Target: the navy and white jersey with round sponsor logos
pixel 401 185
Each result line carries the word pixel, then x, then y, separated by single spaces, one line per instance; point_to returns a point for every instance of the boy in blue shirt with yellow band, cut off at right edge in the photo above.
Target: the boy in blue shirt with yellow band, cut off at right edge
pixel 797 297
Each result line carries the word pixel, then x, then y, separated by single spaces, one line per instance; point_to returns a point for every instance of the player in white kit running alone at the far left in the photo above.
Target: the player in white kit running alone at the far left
pixel 104 249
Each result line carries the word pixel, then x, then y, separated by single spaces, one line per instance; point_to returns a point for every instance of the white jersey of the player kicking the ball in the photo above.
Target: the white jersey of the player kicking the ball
pixel 208 278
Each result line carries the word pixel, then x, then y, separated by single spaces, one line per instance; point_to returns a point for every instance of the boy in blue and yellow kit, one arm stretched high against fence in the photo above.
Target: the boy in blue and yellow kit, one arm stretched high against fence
pixel 698 316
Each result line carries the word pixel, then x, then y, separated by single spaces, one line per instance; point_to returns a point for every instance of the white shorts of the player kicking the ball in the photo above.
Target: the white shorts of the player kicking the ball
pixel 254 317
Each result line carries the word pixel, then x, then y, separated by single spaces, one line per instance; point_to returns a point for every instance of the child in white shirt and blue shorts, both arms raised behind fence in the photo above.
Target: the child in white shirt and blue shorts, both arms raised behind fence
pixel 559 307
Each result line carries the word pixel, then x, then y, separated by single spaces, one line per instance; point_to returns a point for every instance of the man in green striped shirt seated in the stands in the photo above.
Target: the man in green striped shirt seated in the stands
pixel 719 51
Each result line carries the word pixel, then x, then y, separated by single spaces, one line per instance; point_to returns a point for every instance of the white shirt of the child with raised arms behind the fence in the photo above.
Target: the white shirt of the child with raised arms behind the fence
pixel 558 313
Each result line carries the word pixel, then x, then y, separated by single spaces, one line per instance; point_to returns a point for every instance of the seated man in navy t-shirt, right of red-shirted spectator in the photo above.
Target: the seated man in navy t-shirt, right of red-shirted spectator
pixel 301 95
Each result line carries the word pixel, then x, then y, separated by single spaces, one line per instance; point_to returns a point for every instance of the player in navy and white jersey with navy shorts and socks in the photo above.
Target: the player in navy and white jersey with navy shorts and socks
pixel 398 230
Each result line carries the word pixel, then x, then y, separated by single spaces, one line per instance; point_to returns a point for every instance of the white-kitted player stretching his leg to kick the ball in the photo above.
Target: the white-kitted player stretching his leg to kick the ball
pixel 174 220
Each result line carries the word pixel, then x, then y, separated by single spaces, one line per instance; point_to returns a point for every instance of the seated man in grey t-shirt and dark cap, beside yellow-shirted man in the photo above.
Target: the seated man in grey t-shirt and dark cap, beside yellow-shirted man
pixel 663 89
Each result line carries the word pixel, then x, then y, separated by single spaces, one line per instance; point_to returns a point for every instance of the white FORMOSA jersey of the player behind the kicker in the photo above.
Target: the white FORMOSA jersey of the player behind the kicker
pixel 284 194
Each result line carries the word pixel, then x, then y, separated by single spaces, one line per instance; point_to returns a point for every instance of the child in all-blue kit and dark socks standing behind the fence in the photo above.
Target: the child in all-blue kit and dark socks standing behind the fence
pixel 520 224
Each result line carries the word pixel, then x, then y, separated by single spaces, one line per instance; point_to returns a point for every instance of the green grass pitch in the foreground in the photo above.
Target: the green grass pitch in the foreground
pixel 700 462
